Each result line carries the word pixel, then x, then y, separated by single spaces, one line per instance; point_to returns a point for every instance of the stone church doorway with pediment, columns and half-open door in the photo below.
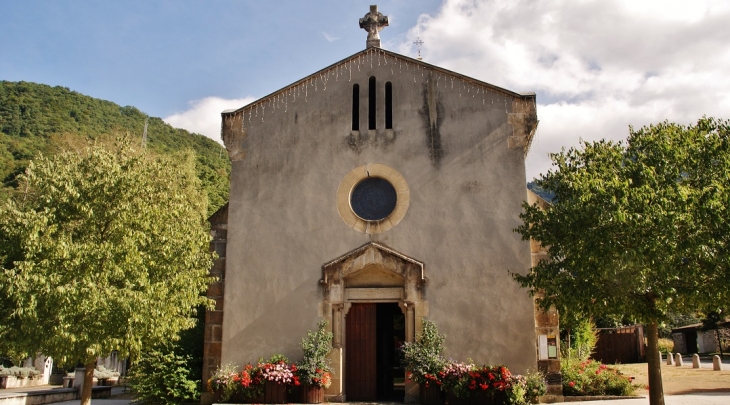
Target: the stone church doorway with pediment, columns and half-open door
pixel 374 298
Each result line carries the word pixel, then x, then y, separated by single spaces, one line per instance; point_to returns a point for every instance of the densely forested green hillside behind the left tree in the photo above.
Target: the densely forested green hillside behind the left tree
pixel 39 118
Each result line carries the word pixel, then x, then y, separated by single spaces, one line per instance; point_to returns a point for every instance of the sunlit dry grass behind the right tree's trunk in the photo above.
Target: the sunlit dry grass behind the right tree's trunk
pixel 679 380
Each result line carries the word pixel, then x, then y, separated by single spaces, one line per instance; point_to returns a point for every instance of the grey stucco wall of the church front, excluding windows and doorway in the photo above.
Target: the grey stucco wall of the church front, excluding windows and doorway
pixel 449 142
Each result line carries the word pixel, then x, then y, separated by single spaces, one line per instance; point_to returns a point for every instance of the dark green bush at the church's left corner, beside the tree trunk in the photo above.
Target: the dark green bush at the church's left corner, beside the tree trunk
pixel 161 376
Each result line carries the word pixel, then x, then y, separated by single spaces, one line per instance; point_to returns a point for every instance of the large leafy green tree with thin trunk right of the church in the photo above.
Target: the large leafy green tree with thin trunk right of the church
pixel 636 229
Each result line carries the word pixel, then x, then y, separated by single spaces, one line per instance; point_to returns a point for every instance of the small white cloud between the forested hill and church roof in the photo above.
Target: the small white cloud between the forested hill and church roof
pixel 204 116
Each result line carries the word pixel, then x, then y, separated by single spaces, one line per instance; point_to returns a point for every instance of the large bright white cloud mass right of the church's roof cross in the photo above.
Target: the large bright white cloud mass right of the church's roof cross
pixel 597 66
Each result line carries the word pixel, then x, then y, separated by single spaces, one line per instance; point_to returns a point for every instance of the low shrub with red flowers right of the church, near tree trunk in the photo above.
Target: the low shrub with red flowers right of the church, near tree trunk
pixel 590 377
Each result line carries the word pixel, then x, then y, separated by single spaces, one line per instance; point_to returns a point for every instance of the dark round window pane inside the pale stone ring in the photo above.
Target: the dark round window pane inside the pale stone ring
pixel 373 199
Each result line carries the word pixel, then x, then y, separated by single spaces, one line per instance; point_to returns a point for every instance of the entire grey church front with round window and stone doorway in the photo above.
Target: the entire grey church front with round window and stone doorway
pixel 374 193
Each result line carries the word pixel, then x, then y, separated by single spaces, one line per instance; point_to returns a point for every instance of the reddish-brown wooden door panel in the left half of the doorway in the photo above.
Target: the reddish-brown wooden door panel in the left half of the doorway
pixel 360 353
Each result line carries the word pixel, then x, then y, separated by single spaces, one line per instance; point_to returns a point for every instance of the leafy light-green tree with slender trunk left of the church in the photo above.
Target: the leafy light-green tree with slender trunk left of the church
pixel 102 251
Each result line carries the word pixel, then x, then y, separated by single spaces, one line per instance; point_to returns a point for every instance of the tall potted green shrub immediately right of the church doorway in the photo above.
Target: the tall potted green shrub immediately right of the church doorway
pixel 424 363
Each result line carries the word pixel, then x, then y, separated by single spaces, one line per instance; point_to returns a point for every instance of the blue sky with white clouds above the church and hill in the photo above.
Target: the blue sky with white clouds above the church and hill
pixel 597 66
